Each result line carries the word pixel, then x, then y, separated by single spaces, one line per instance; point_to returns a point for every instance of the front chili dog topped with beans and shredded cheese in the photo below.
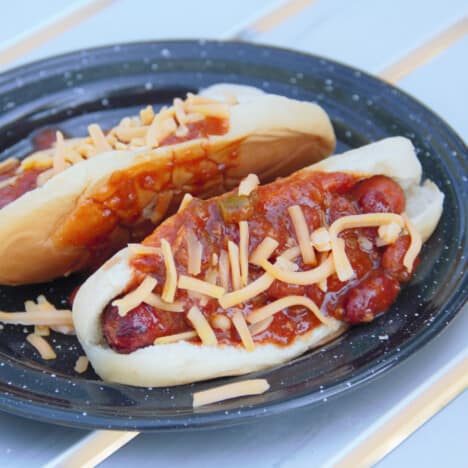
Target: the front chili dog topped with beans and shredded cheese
pixel 255 277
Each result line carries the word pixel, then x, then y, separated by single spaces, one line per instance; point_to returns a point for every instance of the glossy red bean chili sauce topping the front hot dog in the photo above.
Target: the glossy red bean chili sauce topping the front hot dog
pixel 323 197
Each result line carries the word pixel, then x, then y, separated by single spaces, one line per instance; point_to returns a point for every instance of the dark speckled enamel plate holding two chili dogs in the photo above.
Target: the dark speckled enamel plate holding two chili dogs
pixel 105 84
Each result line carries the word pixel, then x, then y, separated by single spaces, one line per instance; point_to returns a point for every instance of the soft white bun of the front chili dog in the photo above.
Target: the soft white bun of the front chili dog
pixel 183 362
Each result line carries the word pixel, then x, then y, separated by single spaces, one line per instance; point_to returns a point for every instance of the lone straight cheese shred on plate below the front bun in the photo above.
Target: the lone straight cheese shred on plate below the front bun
pixel 229 391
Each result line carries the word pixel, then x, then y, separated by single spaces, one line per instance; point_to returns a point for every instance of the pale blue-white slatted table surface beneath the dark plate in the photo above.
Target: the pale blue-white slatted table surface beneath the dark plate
pixel 364 33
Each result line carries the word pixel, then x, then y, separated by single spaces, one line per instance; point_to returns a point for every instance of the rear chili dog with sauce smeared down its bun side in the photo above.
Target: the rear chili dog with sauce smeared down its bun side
pixel 70 208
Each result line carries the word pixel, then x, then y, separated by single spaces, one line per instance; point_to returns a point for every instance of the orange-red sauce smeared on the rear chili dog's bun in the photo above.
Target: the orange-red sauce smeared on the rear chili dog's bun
pixel 115 209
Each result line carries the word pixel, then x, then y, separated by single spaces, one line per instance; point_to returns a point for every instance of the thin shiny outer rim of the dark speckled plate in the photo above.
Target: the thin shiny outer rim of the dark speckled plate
pixel 64 415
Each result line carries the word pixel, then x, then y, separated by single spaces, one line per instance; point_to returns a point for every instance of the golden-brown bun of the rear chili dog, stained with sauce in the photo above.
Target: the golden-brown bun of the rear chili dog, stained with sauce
pixel 268 134
